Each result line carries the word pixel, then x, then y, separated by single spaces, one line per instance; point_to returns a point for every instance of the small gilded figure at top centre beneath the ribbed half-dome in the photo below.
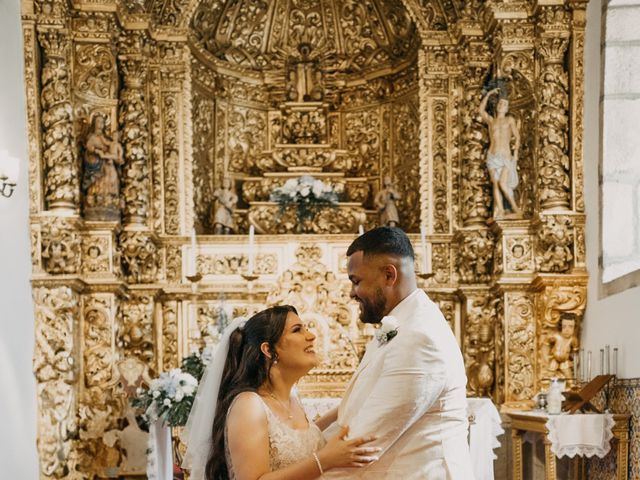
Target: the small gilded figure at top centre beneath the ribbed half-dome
pixel 304 83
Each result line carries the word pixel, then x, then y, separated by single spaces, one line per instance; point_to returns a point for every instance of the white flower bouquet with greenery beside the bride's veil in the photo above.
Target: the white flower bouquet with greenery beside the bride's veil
pixel 170 397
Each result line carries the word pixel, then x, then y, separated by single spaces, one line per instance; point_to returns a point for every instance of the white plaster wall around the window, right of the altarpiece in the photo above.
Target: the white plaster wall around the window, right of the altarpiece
pixel 614 320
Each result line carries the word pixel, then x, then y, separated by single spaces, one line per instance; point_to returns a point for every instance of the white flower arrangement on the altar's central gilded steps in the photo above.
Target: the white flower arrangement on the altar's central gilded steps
pixel 308 194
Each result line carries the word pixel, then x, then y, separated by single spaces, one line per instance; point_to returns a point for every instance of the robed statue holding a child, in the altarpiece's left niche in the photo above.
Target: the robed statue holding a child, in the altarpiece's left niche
pixel 100 181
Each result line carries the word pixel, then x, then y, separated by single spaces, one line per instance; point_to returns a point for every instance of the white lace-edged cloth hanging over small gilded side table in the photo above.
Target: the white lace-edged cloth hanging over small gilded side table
pixel 596 442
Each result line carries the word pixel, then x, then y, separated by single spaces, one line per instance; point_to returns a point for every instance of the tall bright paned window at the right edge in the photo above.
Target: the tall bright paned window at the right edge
pixel 620 156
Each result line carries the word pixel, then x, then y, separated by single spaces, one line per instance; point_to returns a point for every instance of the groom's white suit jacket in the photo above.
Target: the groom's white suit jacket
pixel 411 393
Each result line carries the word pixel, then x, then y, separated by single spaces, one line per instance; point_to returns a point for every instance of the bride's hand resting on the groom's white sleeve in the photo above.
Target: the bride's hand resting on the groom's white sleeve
pixel 340 452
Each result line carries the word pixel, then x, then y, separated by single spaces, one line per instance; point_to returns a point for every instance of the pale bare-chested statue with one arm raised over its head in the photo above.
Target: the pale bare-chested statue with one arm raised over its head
pixel 501 160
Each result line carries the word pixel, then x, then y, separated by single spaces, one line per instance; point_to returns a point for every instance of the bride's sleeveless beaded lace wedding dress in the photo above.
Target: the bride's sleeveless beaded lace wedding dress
pixel 286 445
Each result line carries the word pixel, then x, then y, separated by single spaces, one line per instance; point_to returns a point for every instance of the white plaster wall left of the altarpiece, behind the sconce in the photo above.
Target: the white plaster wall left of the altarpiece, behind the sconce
pixel 18 458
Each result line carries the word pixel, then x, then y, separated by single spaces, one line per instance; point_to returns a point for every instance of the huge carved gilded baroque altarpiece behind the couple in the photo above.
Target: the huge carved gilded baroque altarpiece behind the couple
pixel 138 111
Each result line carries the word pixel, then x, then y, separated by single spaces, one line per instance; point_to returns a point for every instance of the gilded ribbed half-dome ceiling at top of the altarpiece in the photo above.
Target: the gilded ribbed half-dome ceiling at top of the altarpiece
pixel 345 36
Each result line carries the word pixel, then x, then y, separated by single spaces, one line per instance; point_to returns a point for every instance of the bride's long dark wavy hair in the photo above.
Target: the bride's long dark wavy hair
pixel 245 369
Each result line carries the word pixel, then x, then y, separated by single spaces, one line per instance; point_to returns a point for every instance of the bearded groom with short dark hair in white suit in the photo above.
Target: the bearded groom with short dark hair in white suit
pixel 410 388
